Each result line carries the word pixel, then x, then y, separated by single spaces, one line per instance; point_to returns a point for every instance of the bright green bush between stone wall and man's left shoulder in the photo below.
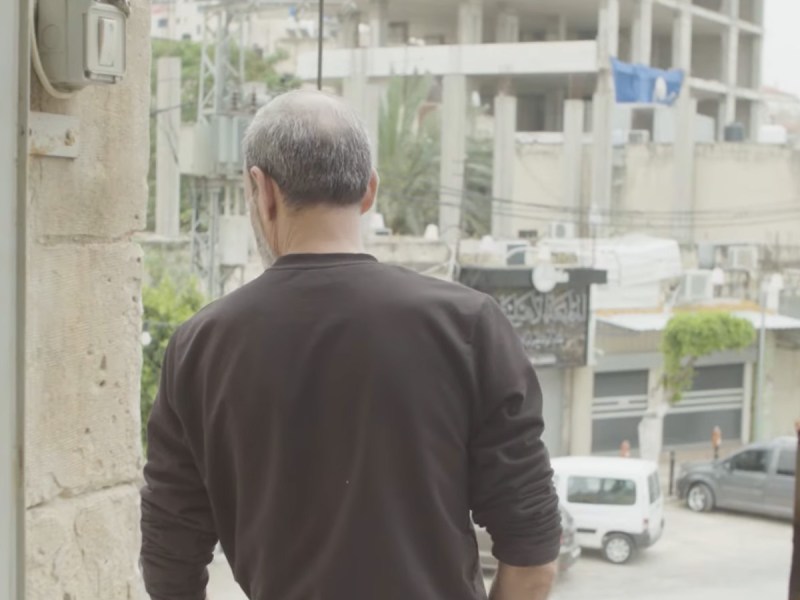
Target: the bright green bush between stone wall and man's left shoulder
pixel 167 304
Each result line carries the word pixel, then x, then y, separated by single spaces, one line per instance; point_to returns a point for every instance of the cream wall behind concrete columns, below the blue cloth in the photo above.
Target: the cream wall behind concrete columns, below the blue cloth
pixel 748 191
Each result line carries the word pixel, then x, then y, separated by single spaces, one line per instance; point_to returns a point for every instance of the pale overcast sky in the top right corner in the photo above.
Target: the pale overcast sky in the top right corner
pixel 782 45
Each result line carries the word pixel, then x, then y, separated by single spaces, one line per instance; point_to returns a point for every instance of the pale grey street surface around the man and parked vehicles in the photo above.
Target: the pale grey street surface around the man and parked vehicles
pixel 701 556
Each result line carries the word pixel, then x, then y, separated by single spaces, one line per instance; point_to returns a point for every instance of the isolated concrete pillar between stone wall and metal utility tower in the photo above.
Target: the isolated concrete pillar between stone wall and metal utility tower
pixel 168 120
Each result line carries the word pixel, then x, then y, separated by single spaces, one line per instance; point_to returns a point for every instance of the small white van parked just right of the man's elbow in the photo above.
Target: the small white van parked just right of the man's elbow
pixel 616 503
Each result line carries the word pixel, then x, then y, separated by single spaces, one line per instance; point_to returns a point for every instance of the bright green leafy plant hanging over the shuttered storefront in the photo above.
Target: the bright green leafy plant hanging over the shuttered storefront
pixel 690 336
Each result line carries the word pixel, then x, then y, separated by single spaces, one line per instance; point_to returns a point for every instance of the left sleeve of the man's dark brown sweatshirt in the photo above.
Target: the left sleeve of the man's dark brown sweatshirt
pixel 178 533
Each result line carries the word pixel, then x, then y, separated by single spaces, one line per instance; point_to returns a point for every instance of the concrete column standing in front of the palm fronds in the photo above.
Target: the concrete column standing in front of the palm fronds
pixel 453 155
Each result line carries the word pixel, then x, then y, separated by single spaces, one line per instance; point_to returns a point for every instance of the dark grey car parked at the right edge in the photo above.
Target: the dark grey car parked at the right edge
pixel 758 479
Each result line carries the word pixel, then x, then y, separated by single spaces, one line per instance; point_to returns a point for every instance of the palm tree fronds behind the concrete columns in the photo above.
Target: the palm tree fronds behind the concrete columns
pixel 409 137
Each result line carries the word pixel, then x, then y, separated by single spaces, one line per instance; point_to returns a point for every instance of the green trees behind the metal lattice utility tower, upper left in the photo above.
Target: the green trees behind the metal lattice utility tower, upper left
pixel 257 68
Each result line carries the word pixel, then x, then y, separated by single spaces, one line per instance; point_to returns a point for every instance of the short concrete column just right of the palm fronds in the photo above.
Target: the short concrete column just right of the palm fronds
pixel 505 129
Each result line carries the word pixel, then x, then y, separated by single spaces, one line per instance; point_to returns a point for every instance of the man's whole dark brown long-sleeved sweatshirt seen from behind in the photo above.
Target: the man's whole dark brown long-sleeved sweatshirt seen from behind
pixel 333 424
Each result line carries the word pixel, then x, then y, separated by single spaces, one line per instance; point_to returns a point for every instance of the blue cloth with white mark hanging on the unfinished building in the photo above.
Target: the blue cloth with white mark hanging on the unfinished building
pixel 638 83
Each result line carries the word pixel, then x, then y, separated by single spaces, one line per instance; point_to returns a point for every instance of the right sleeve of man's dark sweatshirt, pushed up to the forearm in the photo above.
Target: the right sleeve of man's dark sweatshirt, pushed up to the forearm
pixel 511 480
